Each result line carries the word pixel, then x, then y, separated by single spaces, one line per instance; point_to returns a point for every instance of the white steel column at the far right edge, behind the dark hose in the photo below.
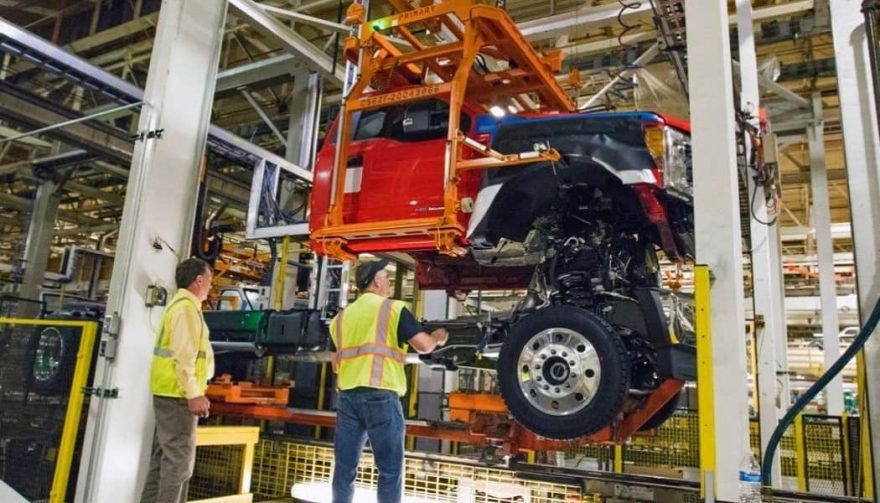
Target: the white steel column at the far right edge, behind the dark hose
pixel 861 149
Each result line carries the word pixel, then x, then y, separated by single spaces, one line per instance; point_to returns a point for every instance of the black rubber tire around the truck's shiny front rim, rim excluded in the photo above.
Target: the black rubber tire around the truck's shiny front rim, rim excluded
pixel 614 374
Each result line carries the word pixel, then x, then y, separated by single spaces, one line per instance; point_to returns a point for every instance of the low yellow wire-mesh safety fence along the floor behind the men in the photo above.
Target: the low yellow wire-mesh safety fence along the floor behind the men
pixel 819 455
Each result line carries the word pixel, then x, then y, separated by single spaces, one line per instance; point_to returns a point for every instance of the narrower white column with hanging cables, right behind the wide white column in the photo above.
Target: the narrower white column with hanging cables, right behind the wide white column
pixel 765 259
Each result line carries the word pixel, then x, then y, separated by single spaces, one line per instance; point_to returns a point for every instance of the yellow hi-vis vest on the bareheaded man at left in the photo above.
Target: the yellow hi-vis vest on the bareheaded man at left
pixel 163 377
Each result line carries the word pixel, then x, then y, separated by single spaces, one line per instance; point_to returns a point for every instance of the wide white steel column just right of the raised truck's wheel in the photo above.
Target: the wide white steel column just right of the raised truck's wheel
pixel 717 228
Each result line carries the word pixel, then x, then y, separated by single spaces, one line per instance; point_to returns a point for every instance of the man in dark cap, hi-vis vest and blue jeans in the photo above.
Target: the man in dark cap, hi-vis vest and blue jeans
pixel 371 336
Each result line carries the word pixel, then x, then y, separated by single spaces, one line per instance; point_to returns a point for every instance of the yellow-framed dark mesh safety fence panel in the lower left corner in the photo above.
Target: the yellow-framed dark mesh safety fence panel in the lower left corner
pixel 46 365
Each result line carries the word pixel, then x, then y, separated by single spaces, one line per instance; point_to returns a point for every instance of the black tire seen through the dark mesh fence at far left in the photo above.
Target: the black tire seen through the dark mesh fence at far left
pixel 52 359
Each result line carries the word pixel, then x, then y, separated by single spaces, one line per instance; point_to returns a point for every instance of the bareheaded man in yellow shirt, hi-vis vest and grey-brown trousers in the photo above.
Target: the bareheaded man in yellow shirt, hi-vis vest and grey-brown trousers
pixel 182 365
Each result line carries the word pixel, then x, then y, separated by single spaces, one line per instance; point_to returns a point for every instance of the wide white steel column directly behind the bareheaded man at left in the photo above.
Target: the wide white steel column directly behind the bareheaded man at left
pixel 160 208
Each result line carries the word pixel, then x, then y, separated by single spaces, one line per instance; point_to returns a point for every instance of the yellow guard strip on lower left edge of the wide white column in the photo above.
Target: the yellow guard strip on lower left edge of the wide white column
pixel 705 380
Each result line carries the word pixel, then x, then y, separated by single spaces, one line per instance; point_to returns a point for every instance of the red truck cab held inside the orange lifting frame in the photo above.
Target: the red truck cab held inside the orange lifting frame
pixel 394 172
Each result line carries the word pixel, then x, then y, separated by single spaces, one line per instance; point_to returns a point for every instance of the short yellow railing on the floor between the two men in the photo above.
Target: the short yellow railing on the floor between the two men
pixel 248 436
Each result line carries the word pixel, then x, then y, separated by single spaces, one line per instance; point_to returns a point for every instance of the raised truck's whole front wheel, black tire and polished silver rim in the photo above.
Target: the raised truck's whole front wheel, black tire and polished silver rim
pixel 563 372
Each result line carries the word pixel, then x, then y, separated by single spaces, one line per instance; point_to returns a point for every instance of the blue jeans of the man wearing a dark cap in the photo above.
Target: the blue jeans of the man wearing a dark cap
pixel 378 414
